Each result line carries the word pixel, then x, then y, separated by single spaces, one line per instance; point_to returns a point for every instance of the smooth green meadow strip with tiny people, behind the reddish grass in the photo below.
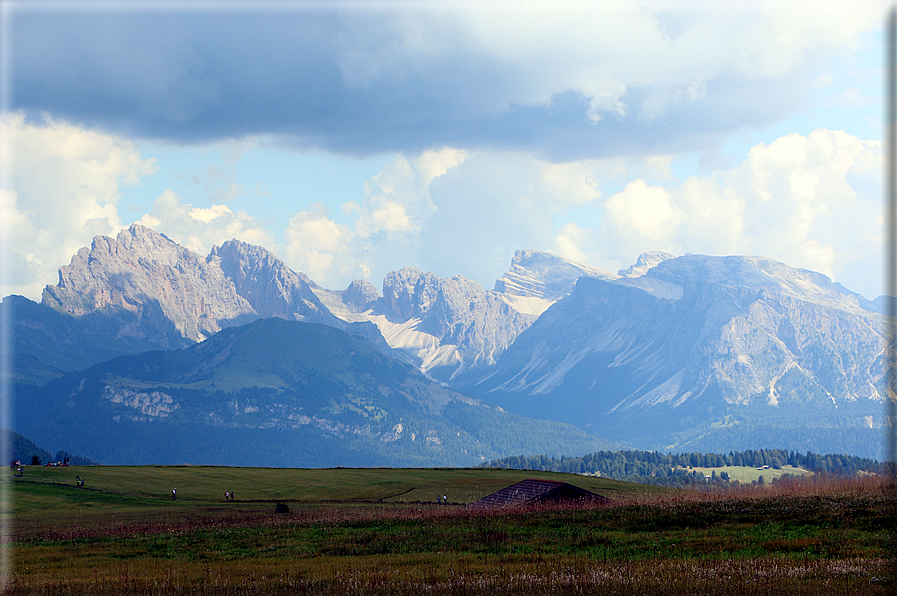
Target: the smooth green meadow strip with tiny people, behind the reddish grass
pixel 48 501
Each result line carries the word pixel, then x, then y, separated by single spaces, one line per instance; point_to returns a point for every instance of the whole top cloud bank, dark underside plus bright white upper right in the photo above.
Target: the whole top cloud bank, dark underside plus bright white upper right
pixel 570 81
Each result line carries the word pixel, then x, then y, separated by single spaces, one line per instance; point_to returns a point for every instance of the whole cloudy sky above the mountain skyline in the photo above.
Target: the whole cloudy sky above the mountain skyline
pixel 356 138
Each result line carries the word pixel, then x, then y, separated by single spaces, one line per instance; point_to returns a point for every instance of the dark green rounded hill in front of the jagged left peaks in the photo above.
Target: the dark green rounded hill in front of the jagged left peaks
pixel 279 393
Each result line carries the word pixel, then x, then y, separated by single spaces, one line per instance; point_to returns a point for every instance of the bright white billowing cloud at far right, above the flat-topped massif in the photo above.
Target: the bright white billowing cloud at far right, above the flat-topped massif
pixel 810 199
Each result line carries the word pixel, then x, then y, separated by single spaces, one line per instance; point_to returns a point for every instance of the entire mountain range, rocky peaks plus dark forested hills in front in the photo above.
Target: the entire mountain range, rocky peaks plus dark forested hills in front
pixel 692 352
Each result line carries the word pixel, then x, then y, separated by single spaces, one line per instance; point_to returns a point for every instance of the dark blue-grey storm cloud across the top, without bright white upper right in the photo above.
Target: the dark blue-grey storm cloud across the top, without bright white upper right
pixel 358 82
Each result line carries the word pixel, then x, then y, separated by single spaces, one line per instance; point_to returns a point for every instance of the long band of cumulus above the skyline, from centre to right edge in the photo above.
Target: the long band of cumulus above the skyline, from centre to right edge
pixel 811 201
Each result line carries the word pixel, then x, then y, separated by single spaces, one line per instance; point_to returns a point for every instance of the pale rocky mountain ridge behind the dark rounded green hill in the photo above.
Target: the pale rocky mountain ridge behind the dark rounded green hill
pixel 666 353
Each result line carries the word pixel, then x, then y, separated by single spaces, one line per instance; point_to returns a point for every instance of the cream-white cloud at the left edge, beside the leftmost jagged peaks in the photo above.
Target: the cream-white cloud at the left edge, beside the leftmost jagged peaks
pixel 63 190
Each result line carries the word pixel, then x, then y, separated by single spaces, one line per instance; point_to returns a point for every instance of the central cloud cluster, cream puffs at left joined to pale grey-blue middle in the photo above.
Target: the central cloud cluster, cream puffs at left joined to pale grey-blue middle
pixel 450 212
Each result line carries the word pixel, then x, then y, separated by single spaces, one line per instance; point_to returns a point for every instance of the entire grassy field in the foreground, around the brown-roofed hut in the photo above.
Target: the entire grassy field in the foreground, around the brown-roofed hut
pixel 379 531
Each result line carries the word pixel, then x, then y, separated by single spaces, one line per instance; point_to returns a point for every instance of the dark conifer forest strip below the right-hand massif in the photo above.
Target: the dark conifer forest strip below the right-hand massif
pixel 652 467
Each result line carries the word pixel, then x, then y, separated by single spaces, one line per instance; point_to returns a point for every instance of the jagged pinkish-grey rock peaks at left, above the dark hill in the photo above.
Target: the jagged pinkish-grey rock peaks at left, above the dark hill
pixel 164 284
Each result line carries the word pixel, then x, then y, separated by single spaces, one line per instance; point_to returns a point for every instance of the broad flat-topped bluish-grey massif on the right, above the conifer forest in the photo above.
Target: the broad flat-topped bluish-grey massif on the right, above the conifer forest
pixel 729 341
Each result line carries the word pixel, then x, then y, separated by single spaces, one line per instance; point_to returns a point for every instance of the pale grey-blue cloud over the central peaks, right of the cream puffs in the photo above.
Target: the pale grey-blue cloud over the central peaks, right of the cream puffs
pixel 497 202
